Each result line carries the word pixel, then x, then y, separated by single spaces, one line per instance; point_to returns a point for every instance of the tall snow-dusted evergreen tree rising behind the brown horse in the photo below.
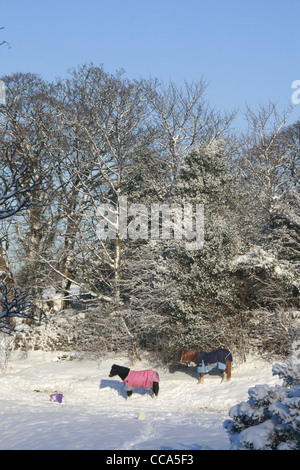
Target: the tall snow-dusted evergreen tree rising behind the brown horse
pixel 204 292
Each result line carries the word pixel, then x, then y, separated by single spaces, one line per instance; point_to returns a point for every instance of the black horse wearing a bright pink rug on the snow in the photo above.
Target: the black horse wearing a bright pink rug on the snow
pixel 136 379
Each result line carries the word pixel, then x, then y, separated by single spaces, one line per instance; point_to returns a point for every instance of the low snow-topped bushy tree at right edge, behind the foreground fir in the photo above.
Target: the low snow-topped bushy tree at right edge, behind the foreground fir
pixel 265 300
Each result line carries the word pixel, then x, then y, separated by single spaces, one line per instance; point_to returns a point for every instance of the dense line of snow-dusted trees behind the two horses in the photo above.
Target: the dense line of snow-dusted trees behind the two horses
pixel 94 138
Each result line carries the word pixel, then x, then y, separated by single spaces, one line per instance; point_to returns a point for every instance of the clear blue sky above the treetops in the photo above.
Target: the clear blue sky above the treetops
pixel 248 51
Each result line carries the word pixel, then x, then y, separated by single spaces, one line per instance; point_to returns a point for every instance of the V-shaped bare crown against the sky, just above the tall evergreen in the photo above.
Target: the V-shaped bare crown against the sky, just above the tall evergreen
pixel 182 120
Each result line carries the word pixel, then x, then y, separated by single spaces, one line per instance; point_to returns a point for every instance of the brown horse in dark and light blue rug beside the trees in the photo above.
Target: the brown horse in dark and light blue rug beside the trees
pixel 219 358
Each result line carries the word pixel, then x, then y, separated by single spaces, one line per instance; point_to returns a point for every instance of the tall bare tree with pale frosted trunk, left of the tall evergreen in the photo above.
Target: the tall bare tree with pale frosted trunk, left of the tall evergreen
pixel 113 131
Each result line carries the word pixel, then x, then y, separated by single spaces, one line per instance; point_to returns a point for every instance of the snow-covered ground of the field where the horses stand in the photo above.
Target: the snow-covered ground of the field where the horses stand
pixel 95 414
